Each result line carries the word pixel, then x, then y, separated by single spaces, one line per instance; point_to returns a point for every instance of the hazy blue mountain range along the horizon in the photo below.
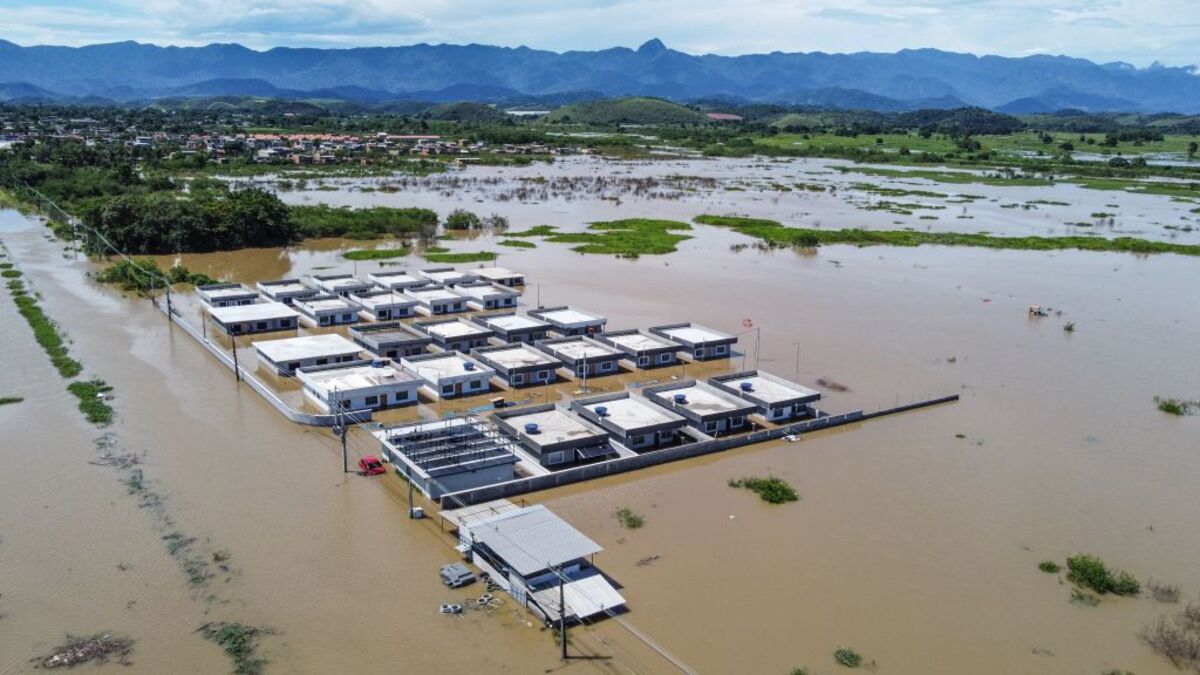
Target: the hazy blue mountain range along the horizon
pixel 135 73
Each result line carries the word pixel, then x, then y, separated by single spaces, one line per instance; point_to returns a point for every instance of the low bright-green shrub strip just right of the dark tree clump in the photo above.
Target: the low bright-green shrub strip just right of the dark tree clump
pixel 363 224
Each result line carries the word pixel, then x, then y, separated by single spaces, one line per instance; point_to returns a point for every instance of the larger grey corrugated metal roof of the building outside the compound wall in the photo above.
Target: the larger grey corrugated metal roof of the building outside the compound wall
pixel 533 540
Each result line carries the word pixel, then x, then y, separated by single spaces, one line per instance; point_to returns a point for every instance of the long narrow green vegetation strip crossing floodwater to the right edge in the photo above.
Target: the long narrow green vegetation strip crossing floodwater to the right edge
pixel 779 236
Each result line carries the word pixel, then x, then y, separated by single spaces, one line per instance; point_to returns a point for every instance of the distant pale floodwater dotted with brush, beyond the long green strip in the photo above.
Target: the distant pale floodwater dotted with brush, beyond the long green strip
pixel 577 190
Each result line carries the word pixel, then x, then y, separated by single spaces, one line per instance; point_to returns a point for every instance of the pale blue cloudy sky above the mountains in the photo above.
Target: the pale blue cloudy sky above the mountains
pixel 1138 32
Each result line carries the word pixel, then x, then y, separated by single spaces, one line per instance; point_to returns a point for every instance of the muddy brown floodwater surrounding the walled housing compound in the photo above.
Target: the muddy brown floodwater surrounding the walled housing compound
pixel 914 546
